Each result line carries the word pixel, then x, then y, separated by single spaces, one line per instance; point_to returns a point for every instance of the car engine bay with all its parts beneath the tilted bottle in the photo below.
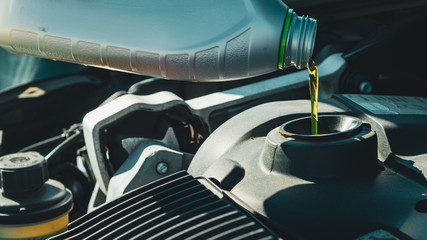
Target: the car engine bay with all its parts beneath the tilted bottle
pixel 114 140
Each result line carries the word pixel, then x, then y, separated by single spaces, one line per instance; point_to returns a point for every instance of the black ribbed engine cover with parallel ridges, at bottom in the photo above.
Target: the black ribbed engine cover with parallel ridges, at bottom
pixel 175 207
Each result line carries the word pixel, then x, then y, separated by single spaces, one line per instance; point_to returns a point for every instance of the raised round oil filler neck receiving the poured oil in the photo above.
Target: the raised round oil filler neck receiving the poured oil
pixel 344 147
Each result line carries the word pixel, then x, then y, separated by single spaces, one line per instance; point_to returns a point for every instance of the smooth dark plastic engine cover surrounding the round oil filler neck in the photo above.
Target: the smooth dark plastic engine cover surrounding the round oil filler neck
pixel 323 188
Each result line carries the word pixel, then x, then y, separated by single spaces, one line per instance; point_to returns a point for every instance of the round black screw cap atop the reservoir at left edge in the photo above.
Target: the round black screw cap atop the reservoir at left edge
pixel 22 172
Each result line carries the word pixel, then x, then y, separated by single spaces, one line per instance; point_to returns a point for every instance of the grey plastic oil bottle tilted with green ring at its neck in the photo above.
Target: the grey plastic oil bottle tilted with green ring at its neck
pixel 209 40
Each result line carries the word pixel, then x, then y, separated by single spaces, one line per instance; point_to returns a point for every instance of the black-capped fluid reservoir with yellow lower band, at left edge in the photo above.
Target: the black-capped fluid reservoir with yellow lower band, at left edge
pixel 31 205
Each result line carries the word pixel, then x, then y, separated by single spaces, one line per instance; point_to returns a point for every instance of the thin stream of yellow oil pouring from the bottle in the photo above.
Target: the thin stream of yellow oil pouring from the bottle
pixel 314 94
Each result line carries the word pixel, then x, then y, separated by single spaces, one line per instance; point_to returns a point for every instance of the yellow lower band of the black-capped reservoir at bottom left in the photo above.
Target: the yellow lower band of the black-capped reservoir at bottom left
pixel 37 230
